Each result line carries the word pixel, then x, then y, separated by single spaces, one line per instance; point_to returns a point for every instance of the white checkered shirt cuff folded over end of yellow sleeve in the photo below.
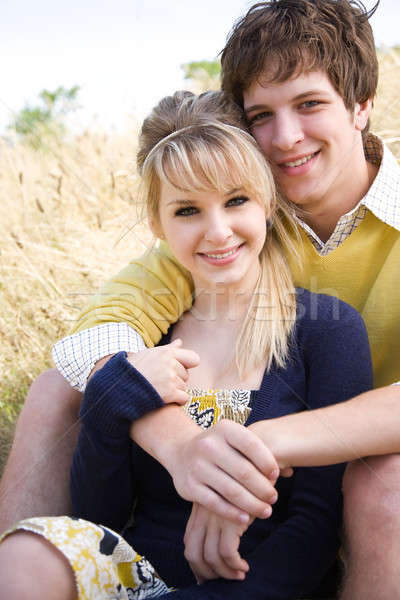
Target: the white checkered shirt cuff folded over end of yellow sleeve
pixel 76 355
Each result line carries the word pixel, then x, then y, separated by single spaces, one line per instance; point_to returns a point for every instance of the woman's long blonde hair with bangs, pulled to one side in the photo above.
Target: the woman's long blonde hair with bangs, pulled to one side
pixel 199 144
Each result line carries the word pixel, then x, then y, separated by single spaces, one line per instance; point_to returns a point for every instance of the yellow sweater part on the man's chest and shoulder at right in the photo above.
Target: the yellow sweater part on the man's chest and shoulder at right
pixel 364 271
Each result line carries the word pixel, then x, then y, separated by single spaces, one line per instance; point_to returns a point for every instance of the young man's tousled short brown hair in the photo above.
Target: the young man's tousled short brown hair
pixel 282 38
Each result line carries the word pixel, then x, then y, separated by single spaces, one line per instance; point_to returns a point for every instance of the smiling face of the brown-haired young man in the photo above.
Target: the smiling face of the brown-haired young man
pixel 312 141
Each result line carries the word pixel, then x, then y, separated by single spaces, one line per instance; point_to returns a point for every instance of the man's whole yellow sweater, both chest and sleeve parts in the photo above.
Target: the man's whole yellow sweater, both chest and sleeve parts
pixel 152 292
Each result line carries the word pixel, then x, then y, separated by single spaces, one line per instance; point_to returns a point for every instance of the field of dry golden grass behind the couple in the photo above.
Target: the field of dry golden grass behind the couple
pixel 63 214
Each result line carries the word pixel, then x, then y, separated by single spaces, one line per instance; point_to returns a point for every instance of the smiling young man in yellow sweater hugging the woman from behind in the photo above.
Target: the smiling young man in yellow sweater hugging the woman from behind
pixel 305 72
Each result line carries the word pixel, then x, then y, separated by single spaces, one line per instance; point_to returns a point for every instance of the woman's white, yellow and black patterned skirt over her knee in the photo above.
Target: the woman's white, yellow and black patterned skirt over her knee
pixel 104 565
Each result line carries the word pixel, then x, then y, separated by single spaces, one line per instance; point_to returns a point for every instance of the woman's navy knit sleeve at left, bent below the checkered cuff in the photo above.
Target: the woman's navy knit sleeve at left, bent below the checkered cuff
pixel 102 477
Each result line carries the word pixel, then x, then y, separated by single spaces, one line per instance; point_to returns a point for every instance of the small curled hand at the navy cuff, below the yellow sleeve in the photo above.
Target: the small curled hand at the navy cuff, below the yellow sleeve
pixel 166 368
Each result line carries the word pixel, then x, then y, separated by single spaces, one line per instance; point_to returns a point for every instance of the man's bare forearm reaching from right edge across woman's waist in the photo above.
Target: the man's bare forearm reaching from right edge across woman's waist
pixel 367 425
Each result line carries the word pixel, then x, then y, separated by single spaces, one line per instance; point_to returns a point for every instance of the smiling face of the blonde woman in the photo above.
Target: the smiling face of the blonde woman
pixel 217 237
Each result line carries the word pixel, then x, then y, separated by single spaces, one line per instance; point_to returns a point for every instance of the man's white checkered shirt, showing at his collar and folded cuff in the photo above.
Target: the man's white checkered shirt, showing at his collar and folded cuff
pixel 76 355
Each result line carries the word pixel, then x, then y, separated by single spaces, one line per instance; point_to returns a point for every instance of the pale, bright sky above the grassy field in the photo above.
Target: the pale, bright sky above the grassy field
pixel 125 54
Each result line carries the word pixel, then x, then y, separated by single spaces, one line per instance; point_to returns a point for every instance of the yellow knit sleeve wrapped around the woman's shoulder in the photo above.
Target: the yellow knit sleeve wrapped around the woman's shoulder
pixel 149 295
